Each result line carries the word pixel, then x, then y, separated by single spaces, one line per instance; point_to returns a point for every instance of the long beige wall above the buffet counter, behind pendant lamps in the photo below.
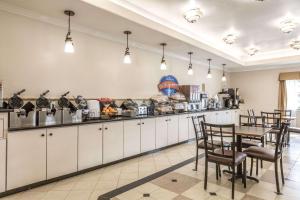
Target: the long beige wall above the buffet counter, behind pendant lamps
pixel 32 57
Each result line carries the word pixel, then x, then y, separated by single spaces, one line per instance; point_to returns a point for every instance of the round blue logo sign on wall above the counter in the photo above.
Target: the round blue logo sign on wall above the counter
pixel 168 85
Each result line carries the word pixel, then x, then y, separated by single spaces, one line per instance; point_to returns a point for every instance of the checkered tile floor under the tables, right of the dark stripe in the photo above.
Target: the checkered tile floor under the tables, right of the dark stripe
pixel 186 184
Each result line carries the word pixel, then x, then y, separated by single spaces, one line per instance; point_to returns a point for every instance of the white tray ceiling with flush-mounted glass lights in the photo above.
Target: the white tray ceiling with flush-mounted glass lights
pixel 156 21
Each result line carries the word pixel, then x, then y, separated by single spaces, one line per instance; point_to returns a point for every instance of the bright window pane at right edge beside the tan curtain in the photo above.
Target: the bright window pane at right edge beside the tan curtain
pixel 293 94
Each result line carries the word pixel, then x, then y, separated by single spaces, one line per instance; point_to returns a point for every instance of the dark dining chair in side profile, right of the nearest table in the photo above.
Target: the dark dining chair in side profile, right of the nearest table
pixel 271 155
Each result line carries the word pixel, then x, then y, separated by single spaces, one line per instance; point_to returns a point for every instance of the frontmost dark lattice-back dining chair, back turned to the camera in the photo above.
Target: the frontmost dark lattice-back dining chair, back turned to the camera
pixel 222 156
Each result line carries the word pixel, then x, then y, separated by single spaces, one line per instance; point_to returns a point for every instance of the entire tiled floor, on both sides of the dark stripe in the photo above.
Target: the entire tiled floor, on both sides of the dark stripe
pixel 181 184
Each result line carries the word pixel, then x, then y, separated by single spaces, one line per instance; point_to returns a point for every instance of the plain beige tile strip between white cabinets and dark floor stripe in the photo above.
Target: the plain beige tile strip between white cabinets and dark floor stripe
pixel 91 185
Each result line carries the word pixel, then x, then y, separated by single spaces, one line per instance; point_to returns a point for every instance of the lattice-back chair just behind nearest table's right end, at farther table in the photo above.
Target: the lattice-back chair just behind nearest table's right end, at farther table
pixel 272 120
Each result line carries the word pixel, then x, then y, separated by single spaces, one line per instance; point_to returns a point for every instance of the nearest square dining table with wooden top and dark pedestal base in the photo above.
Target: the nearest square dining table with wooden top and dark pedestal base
pixel 245 131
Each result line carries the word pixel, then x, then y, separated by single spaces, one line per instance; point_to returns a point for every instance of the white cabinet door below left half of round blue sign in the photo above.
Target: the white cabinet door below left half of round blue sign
pixel 161 127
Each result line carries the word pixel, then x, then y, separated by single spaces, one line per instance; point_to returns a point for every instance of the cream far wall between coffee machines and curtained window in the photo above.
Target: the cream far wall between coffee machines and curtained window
pixel 259 88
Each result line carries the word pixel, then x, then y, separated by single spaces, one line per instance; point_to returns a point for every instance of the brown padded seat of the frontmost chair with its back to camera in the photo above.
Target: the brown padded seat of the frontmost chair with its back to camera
pixel 239 157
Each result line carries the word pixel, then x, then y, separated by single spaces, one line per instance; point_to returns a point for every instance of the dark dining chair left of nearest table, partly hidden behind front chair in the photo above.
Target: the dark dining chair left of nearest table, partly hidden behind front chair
pixel 200 142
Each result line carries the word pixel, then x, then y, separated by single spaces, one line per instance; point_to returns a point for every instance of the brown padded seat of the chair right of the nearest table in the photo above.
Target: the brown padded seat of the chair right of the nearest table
pixel 261 153
